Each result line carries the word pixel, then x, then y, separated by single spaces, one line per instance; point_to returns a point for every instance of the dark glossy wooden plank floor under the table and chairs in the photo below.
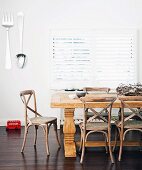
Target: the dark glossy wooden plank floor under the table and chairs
pixel 36 159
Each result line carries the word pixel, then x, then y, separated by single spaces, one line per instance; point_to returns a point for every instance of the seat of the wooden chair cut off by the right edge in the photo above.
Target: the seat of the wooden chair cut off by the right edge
pixel 134 124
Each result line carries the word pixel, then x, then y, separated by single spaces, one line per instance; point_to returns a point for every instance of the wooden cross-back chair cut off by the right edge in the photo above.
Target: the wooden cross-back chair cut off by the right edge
pixel 128 122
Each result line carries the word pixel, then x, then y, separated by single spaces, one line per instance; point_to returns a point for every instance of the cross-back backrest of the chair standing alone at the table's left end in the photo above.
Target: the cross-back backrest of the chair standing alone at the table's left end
pixel 28 98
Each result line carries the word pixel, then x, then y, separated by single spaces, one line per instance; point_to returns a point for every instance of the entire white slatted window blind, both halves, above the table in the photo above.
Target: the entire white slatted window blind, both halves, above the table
pixel 93 57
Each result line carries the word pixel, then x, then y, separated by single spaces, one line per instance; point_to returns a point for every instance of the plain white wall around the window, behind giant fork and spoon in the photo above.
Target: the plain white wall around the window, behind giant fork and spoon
pixel 40 17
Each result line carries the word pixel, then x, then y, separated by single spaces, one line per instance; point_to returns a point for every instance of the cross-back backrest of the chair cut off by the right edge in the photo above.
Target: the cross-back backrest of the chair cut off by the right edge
pixel 134 104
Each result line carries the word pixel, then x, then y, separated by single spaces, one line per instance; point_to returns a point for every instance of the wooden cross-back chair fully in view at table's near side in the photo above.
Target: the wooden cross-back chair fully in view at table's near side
pixel 88 126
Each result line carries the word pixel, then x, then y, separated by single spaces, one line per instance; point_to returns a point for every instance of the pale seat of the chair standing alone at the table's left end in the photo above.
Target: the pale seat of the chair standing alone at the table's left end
pixel 42 120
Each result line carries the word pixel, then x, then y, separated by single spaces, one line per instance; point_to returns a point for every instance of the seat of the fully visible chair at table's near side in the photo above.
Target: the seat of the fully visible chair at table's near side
pixel 95 126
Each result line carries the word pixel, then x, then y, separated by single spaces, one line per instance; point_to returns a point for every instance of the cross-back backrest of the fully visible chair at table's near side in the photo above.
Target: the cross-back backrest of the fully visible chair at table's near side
pixel 90 103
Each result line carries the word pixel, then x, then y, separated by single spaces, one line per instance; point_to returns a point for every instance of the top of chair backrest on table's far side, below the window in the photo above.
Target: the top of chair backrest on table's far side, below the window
pixel 96 89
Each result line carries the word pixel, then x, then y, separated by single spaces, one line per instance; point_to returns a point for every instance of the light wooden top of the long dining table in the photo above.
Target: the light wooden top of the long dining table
pixel 62 100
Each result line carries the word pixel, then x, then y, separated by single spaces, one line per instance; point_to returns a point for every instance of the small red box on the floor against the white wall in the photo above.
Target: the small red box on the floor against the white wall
pixel 13 124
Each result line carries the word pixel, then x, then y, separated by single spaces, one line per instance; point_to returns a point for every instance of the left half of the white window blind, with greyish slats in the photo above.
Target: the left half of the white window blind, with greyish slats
pixel 71 57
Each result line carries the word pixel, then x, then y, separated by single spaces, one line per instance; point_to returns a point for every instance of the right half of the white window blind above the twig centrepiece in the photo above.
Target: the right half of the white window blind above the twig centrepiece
pixel 115 57
